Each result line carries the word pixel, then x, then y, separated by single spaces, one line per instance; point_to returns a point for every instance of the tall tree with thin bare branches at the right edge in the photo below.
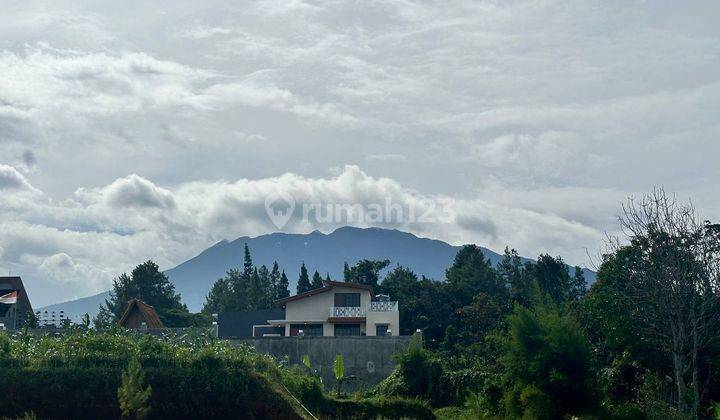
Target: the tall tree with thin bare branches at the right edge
pixel 674 286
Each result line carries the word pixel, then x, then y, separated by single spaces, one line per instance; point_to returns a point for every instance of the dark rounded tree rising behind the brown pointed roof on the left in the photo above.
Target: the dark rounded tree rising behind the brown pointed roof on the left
pixel 150 285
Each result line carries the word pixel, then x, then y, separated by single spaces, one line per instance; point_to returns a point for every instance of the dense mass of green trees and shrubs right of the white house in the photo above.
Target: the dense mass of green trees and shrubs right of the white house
pixel 527 340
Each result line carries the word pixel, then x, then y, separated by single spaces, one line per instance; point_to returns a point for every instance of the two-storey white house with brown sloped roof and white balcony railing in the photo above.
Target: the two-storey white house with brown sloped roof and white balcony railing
pixel 336 309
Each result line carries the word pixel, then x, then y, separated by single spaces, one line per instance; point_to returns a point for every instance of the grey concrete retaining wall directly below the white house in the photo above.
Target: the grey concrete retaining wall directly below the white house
pixel 368 358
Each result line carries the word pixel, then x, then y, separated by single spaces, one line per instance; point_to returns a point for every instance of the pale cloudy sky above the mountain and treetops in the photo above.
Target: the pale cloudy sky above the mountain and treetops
pixel 153 129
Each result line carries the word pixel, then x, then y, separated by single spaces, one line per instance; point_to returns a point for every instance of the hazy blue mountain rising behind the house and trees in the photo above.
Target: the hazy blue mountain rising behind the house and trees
pixel 323 252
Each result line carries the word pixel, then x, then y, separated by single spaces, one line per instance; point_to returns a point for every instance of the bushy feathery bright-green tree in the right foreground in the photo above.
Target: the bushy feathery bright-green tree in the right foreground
pixel 546 360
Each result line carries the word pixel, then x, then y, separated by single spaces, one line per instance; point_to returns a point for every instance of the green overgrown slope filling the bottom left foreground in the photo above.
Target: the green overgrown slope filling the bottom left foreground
pixel 86 374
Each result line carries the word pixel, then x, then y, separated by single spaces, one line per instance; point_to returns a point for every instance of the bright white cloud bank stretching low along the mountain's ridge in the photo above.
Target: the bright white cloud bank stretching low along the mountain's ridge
pixel 87 239
